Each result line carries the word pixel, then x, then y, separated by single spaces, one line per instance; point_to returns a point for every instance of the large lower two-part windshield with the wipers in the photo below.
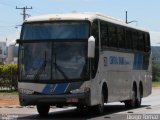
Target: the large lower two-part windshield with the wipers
pixel 61 61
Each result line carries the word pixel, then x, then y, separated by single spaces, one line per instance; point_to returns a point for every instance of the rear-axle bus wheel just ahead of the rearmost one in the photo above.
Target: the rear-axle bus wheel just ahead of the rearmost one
pixel 131 103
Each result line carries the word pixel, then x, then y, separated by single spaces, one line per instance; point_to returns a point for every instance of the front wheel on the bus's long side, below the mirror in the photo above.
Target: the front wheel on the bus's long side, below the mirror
pixel 100 108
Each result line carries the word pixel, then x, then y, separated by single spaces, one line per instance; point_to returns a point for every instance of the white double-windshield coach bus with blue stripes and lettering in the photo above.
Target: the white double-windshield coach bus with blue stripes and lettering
pixel 84 60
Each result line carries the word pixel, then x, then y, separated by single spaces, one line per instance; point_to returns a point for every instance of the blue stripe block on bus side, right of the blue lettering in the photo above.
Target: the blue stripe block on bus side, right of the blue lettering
pixel 138 61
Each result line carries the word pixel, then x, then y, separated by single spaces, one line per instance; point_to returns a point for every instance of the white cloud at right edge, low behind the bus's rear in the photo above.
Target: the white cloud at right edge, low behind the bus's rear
pixel 155 38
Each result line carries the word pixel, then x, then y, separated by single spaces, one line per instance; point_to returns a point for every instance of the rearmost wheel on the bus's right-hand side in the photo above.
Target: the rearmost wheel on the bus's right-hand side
pixel 139 97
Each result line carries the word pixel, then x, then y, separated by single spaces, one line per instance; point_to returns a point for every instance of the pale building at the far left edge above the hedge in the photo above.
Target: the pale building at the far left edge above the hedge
pixel 3 52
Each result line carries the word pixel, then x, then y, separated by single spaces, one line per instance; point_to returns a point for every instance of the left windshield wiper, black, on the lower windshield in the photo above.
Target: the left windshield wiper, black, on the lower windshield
pixel 42 68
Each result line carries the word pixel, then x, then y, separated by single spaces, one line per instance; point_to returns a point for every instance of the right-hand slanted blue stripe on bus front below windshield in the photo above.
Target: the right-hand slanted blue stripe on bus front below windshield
pixel 61 88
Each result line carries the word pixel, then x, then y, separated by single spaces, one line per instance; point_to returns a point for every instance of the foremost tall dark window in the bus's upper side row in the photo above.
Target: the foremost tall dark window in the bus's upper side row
pixel 104 34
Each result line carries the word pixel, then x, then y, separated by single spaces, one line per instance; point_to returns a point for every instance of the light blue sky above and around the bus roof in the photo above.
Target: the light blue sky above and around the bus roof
pixel 145 12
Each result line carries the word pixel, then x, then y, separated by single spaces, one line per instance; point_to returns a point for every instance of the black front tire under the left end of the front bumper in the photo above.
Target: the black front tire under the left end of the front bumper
pixel 43 109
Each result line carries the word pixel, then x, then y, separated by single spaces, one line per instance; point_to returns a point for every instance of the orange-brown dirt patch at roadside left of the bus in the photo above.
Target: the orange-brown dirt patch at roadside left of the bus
pixel 9 100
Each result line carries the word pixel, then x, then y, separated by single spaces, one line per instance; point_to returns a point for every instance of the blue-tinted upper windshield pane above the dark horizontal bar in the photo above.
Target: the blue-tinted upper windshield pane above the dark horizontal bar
pixel 55 30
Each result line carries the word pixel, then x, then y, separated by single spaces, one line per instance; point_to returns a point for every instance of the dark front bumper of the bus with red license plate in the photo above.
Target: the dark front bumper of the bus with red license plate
pixel 65 99
